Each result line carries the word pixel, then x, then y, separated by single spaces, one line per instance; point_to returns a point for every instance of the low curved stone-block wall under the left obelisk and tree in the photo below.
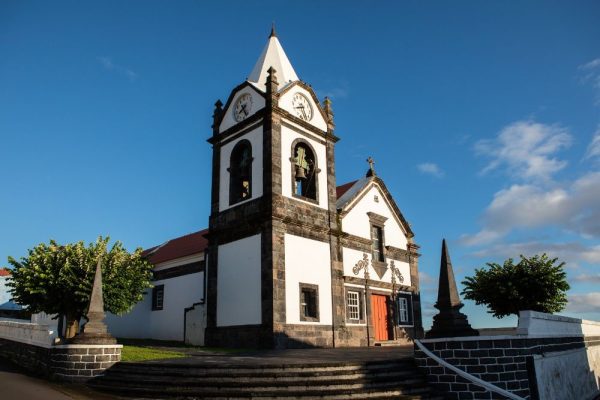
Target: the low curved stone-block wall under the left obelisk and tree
pixel 32 347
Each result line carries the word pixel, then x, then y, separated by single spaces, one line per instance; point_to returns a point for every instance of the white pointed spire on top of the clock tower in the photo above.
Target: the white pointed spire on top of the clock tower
pixel 272 56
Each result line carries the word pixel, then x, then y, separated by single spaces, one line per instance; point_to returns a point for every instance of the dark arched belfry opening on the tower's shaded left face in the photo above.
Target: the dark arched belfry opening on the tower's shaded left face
pixel 240 172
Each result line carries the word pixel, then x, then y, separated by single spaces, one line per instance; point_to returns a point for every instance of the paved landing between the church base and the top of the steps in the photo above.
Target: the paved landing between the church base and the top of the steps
pixel 292 356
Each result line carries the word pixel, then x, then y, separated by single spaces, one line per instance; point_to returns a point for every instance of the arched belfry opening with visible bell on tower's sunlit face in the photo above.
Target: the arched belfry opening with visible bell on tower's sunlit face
pixel 304 170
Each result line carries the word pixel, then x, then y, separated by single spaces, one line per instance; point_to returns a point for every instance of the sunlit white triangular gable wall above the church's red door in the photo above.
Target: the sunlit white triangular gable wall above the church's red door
pixel 357 223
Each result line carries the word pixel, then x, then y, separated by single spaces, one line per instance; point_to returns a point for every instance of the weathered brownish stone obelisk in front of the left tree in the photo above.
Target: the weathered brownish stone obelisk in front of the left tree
pixel 95 331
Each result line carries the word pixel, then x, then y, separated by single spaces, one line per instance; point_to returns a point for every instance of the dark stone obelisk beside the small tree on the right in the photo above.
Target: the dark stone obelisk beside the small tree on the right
pixel 449 321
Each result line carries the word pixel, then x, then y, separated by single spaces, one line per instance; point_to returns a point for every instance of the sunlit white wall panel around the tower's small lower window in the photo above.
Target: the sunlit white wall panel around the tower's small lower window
pixel 307 261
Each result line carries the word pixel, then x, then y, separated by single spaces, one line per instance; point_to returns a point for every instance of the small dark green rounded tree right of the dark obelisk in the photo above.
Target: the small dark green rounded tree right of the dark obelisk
pixel 536 283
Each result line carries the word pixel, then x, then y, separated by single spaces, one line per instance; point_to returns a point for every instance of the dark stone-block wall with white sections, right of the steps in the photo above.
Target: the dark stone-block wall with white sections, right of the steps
pixel 548 358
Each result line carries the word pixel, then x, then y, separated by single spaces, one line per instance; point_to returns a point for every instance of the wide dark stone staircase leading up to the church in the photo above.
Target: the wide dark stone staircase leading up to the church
pixel 397 379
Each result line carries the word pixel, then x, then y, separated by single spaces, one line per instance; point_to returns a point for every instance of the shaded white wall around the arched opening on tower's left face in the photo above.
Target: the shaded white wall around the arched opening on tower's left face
pixel 255 139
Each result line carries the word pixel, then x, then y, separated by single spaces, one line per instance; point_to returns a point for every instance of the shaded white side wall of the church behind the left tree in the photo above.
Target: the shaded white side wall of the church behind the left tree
pixel 166 324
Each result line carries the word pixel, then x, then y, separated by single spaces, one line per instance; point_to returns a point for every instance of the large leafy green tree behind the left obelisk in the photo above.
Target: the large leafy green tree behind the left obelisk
pixel 58 279
